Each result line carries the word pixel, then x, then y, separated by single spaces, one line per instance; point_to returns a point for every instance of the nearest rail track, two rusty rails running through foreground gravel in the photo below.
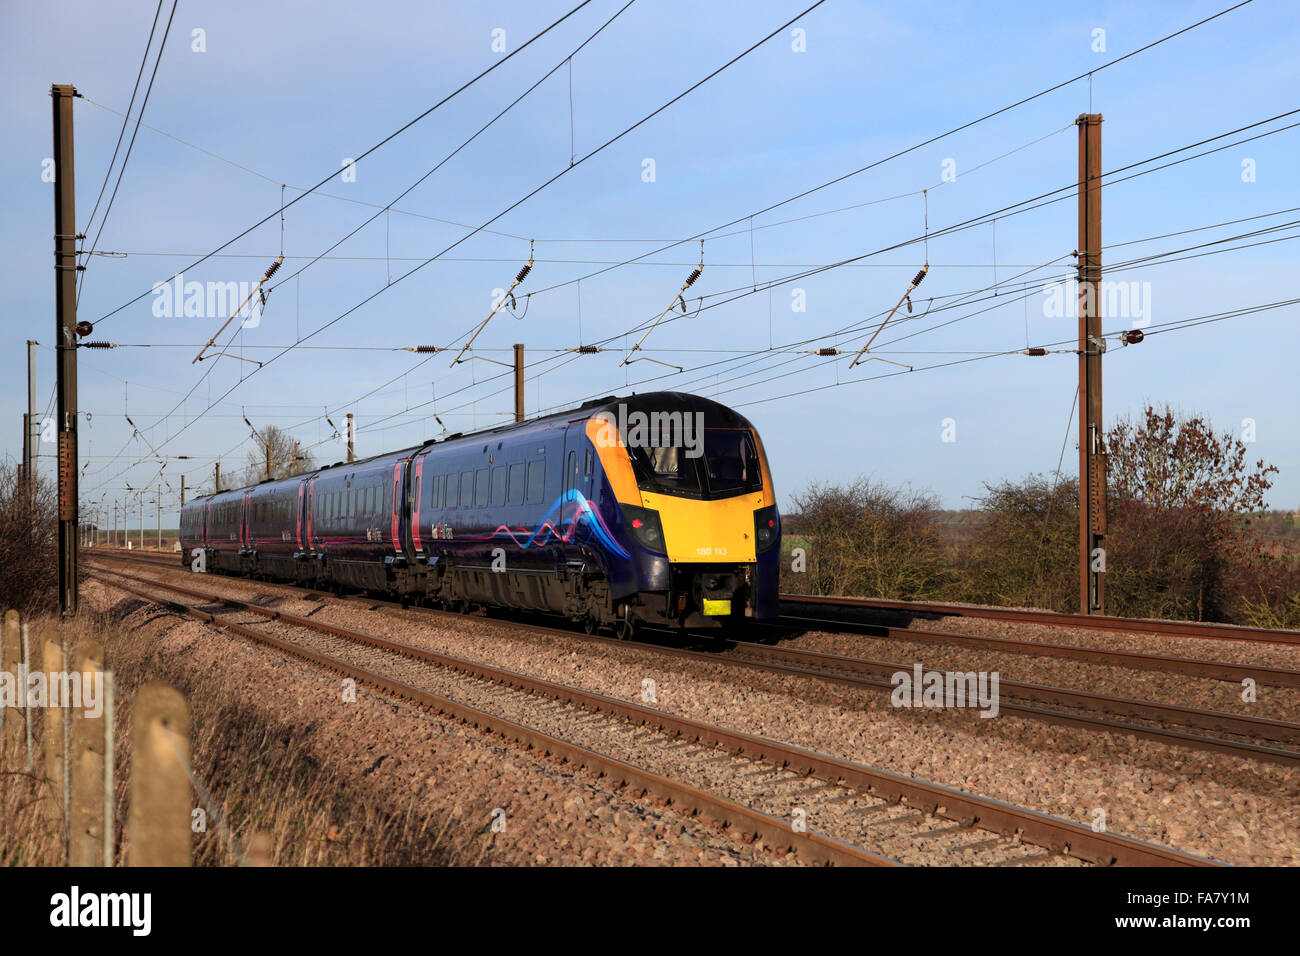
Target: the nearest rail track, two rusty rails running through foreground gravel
pixel 933 801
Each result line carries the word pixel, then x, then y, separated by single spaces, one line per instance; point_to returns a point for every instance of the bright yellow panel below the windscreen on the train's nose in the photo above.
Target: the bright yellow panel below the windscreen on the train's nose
pixel 707 531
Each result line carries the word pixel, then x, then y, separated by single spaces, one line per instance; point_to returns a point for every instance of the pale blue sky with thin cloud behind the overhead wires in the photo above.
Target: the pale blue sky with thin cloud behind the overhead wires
pixel 292 90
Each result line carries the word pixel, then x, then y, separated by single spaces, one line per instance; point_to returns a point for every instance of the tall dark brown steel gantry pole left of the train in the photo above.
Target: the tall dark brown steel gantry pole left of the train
pixel 66 341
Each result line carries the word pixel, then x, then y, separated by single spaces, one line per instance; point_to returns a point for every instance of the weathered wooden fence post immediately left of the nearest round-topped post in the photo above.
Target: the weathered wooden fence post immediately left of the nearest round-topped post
pixel 86 760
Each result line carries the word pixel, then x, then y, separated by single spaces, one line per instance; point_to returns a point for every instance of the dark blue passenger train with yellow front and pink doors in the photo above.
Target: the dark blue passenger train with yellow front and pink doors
pixel 652 509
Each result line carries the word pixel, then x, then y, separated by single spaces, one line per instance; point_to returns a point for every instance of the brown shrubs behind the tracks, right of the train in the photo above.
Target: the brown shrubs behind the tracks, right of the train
pixel 1180 542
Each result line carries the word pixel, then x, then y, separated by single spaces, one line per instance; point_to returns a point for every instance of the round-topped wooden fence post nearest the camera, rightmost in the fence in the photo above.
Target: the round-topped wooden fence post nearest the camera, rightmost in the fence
pixel 159 825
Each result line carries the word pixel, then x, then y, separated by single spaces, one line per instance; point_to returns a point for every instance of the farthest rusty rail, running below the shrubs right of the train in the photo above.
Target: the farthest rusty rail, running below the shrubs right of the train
pixel 1095 622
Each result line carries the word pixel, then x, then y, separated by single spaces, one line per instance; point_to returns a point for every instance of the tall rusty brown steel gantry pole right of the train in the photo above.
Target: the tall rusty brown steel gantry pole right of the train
pixel 1093 347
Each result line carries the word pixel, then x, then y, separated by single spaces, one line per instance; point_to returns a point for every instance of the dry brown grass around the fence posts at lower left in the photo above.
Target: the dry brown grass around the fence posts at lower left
pixel 274 798
